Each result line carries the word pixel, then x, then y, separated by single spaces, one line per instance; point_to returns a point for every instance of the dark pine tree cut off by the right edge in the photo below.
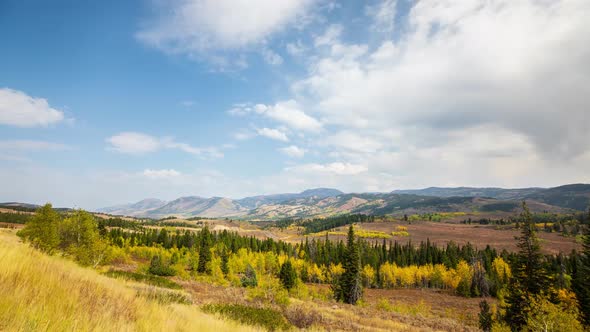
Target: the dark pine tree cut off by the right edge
pixel 581 279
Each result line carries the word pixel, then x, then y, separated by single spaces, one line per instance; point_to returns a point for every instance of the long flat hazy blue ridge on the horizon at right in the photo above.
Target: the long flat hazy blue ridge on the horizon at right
pixel 498 193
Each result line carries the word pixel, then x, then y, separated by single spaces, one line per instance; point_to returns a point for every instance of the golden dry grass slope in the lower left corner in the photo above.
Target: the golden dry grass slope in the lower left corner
pixel 39 292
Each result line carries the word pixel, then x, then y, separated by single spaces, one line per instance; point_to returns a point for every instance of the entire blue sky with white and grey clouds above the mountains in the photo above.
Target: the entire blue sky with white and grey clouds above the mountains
pixel 109 102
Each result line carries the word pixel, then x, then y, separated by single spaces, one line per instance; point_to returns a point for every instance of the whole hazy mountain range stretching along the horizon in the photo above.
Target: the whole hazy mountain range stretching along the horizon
pixel 326 202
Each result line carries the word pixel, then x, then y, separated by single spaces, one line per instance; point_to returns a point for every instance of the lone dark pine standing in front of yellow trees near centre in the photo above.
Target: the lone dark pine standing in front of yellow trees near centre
pixel 349 287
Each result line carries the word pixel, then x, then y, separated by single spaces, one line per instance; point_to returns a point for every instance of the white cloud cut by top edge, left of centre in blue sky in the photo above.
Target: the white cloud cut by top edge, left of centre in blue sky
pixel 210 27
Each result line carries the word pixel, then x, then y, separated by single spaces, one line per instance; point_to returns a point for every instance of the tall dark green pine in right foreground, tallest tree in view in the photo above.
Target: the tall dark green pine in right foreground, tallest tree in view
pixel 529 275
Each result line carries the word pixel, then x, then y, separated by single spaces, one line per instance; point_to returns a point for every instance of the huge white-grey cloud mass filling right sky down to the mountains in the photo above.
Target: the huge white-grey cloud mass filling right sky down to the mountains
pixel 498 84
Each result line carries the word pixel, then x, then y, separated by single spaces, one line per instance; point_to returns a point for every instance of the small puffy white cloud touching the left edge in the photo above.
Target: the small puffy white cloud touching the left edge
pixel 20 110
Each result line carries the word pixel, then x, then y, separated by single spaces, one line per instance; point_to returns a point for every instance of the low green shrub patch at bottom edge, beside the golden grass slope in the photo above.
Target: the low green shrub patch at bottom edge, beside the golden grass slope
pixel 266 318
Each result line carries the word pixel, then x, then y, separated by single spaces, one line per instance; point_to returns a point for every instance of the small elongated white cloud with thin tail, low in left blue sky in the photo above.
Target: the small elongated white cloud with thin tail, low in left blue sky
pixel 138 143
